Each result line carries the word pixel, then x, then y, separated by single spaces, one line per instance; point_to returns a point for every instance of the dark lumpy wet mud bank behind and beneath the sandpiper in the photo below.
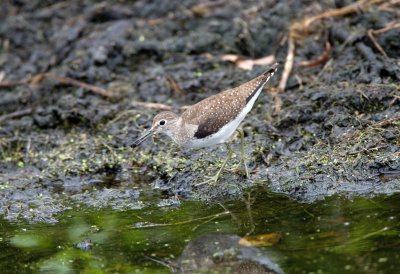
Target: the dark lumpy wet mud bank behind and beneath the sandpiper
pixel 338 129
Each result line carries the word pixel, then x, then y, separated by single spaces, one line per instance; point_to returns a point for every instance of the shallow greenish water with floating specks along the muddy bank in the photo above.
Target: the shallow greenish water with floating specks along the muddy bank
pixel 335 235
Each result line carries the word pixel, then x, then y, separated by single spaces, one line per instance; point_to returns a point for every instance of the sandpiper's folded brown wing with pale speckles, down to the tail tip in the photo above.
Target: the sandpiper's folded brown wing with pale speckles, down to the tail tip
pixel 212 113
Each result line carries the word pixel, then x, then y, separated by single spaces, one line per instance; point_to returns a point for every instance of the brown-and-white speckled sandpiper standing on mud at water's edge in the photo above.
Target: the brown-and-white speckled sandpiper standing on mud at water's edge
pixel 213 120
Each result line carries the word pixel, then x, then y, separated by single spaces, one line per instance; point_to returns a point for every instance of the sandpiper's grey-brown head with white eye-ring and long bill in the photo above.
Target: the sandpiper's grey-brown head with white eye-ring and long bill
pixel 164 122
